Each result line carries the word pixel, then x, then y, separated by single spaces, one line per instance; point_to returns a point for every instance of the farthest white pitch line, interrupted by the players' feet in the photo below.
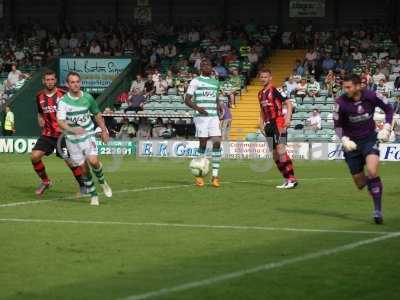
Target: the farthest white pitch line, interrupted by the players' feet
pixel 39 201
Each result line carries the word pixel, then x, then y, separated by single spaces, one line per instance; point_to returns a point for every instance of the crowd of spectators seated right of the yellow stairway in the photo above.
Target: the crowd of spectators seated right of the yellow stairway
pixel 370 52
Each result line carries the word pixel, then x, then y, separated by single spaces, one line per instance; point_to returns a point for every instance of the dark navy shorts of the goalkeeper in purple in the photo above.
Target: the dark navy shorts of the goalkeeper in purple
pixel 356 159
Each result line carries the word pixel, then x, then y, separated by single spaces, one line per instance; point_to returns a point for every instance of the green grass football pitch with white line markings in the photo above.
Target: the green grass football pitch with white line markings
pixel 160 237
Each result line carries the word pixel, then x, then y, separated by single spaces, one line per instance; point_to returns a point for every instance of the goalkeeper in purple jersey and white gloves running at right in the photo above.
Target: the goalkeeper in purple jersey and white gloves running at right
pixel 354 124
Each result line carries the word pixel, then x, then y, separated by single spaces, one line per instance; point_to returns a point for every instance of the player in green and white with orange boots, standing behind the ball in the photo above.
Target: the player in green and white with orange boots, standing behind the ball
pixel 202 96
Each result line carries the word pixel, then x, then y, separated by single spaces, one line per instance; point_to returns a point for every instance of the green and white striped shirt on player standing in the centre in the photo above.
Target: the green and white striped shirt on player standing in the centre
pixel 205 93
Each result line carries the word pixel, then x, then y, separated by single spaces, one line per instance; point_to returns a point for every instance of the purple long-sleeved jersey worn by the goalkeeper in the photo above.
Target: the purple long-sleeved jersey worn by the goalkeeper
pixel 356 118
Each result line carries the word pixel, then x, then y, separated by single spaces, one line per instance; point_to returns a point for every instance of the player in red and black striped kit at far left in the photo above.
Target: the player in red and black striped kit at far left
pixel 46 101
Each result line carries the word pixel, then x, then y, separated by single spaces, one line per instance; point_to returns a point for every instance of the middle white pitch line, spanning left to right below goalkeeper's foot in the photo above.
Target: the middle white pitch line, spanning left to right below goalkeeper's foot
pixel 196 226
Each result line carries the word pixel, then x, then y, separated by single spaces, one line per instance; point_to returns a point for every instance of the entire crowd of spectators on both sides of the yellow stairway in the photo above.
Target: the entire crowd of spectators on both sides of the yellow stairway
pixel 170 57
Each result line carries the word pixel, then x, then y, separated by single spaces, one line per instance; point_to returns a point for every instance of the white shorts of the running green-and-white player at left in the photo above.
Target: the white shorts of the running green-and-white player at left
pixel 78 152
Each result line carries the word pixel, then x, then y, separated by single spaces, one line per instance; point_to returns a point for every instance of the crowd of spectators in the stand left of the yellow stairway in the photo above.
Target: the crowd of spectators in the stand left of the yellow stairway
pixel 169 56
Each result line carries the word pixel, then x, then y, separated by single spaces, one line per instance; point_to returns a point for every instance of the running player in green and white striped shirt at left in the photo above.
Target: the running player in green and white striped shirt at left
pixel 74 118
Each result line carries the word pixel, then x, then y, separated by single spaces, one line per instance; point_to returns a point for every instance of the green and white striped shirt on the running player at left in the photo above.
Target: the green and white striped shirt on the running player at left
pixel 76 112
